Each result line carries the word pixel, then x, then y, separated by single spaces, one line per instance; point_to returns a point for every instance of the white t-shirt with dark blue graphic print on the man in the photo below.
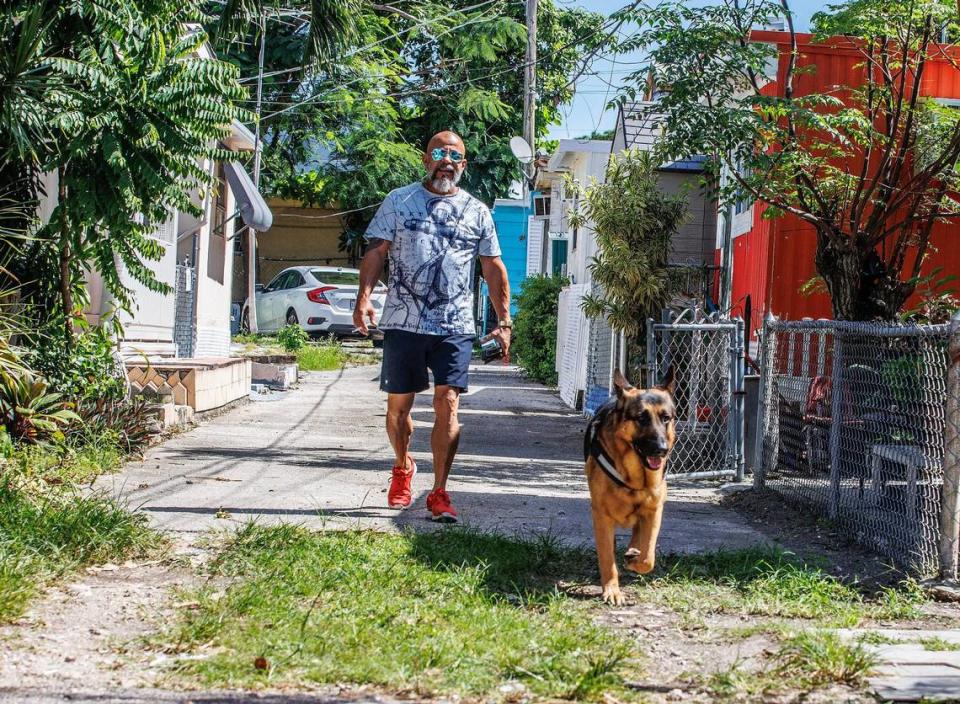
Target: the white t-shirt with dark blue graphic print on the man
pixel 436 240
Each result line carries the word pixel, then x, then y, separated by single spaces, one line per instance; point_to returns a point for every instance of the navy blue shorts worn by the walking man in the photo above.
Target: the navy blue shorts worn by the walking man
pixel 408 355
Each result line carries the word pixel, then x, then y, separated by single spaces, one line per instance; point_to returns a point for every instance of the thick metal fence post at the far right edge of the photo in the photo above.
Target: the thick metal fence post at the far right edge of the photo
pixel 950 497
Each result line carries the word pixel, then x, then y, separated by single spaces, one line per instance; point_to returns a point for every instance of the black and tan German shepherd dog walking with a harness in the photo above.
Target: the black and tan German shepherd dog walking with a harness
pixel 626 448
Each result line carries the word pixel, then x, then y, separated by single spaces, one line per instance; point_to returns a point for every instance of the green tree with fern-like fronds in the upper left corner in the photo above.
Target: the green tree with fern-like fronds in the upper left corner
pixel 114 97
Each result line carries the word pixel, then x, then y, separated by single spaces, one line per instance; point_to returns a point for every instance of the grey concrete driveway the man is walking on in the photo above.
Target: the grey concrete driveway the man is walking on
pixel 319 455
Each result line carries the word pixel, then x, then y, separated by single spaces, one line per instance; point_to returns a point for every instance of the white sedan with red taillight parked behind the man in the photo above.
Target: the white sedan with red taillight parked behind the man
pixel 318 298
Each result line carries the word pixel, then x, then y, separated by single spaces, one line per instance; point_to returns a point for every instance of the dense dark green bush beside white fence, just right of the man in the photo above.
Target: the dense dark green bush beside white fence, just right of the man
pixel 534 342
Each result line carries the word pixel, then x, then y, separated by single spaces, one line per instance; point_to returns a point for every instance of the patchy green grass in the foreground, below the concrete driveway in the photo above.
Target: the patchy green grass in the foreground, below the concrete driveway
pixel 459 612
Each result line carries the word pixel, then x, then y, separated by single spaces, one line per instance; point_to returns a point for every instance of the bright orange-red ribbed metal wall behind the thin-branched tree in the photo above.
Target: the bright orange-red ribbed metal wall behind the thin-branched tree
pixel 776 257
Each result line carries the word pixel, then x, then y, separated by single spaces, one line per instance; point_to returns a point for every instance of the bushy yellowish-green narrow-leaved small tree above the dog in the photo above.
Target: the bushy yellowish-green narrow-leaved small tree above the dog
pixel 634 222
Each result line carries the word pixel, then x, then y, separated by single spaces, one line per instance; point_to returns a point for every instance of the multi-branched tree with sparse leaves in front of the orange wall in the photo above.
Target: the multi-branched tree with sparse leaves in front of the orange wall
pixel 871 167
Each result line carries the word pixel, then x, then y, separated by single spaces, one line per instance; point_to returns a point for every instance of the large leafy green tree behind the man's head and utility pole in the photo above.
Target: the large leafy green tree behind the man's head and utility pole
pixel 345 134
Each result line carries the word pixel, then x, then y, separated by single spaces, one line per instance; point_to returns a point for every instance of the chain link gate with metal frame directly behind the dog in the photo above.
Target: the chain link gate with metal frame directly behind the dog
pixel 707 360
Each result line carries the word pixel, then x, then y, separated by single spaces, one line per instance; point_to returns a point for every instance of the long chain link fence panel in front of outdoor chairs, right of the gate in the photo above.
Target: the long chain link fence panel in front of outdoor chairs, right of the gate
pixel 852 422
